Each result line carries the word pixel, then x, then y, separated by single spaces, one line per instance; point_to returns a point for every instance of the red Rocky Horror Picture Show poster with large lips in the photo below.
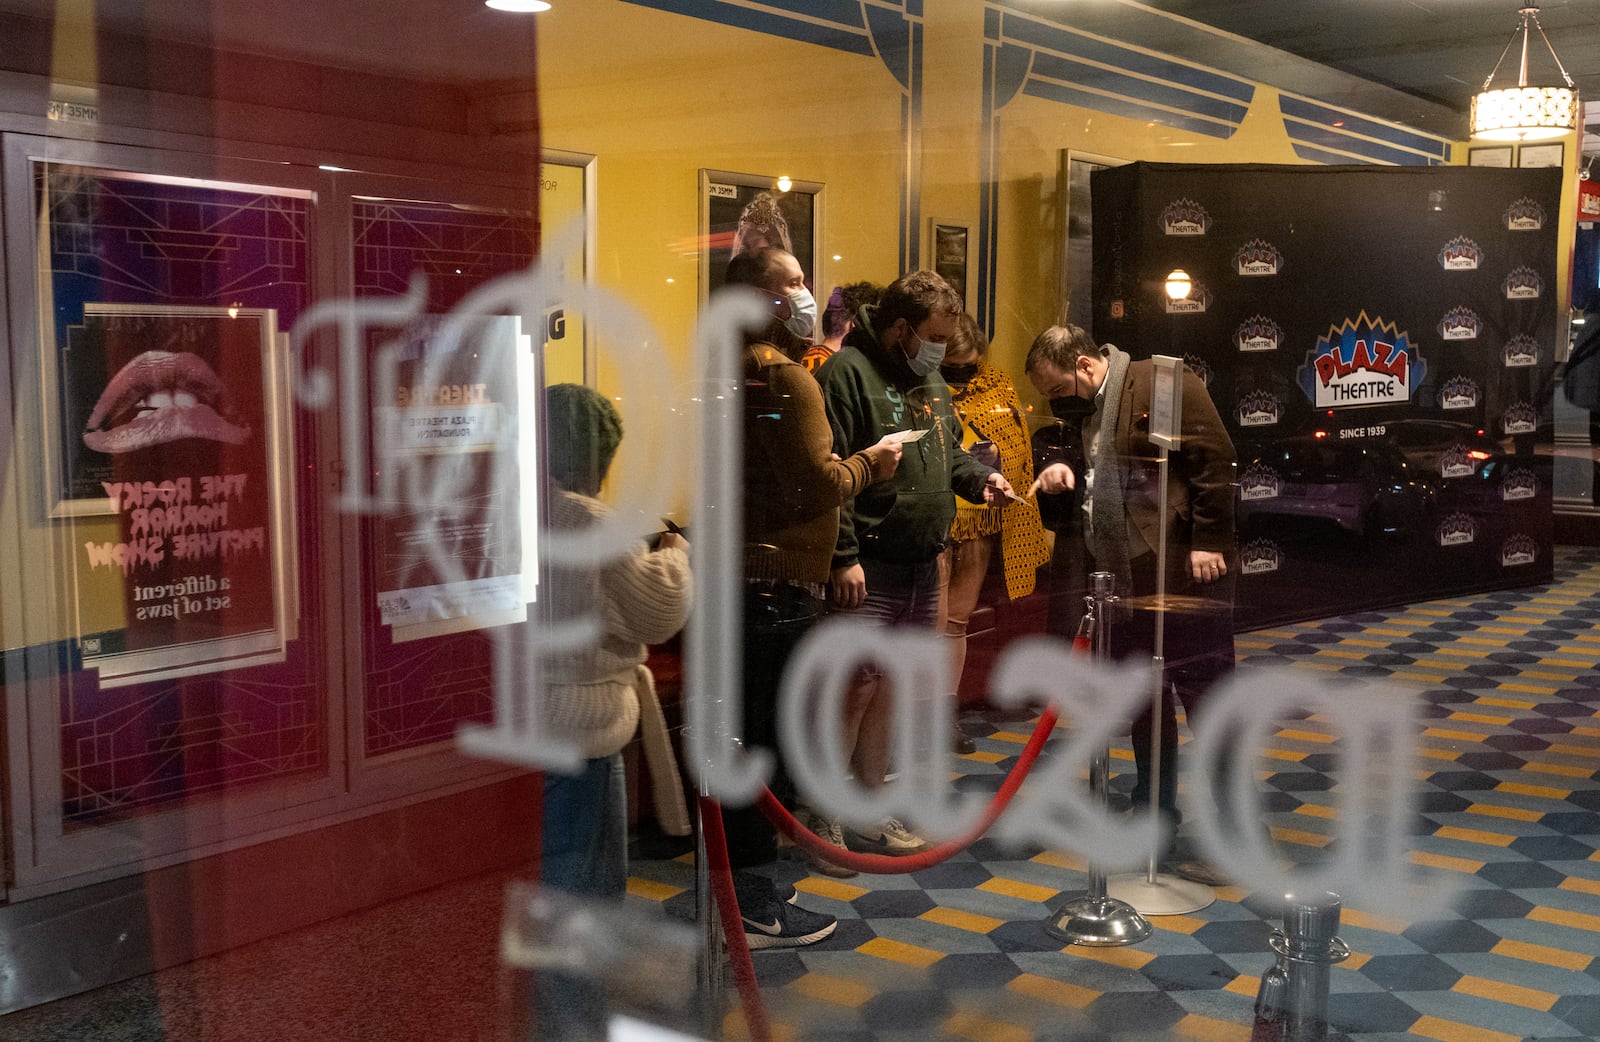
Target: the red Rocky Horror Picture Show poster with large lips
pixel 170 441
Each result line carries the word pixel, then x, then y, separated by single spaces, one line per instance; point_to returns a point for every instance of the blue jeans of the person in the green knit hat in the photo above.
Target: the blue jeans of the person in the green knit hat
pixel 585 833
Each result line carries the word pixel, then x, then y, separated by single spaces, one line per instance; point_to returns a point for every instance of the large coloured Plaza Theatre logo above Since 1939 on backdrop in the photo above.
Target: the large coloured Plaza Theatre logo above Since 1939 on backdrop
pixel 1362 363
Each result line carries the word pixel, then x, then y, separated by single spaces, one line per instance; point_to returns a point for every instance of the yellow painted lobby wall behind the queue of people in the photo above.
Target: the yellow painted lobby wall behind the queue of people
pixel 658 97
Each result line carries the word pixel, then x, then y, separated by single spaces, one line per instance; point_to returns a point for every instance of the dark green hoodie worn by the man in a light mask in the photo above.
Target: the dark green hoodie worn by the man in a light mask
pixel 870 391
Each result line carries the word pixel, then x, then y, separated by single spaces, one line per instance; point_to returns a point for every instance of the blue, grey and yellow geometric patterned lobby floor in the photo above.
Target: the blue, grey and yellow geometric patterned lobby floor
pixel 1511 803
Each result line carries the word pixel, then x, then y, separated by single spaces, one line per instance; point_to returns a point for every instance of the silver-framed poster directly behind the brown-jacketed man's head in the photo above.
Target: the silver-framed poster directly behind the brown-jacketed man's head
pixel 746 212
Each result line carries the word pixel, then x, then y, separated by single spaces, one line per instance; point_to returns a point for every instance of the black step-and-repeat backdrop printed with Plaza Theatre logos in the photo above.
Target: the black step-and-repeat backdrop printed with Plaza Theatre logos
pixel 1382 343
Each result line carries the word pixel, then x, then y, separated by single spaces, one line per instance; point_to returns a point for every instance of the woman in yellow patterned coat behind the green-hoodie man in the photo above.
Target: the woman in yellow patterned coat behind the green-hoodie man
pixel 994 423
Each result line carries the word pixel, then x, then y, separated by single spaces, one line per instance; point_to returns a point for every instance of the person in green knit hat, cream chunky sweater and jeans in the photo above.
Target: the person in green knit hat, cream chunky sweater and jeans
pixel 598 697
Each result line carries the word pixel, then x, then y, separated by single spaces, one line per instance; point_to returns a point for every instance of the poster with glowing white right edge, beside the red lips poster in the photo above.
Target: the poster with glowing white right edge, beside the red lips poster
pixel 454 441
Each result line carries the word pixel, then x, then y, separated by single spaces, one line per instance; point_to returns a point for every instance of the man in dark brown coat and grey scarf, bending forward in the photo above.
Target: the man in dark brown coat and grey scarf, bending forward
pixel 1106 462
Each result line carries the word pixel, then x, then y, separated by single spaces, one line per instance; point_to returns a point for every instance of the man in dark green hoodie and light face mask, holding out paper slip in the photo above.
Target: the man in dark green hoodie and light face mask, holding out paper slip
pixel 886 382
